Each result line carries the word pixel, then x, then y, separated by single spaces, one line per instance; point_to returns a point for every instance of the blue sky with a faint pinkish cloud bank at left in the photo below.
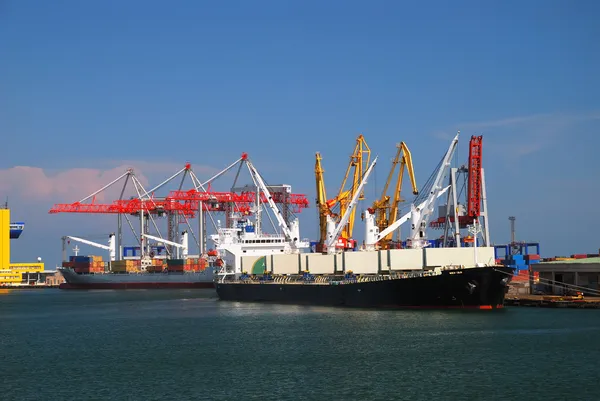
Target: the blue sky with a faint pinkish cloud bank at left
pixel 89 89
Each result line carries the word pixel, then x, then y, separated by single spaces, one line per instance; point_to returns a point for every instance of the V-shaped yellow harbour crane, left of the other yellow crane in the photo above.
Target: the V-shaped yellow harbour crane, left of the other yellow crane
pixel 359 163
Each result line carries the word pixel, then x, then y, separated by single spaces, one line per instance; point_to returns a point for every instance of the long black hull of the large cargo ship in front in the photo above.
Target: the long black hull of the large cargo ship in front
pixel 480 288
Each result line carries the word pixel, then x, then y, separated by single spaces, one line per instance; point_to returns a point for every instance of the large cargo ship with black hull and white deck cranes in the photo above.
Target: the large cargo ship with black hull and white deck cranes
pixel 416 277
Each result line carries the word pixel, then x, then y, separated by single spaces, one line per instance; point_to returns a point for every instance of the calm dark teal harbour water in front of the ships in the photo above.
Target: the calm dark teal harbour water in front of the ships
pixel 185 344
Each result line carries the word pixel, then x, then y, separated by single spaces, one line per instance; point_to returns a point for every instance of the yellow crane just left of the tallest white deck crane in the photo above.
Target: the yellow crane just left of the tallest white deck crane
pixel 386 212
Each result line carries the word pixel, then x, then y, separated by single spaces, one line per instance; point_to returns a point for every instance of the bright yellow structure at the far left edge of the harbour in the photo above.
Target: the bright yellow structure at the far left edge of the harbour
pixel 14 273
